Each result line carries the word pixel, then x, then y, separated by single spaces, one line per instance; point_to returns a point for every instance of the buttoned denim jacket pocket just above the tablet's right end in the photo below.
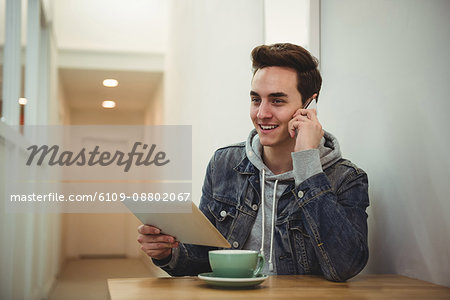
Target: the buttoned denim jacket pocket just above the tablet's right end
pixel 224 215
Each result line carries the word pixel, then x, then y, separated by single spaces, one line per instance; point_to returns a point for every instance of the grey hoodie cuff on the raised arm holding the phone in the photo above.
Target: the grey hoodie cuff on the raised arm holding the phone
pixel 306 164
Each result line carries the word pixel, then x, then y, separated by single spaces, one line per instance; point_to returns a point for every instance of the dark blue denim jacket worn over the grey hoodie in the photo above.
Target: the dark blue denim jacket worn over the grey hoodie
pixel 325 233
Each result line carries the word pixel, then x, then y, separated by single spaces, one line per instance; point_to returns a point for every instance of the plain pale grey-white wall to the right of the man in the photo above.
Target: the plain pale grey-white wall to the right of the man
pixel 386 68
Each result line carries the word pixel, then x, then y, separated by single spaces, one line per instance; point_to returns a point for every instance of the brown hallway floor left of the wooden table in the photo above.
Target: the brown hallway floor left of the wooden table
pixel 86 278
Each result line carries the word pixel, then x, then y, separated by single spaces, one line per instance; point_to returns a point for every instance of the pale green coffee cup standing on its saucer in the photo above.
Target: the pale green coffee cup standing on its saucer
pixel 236 263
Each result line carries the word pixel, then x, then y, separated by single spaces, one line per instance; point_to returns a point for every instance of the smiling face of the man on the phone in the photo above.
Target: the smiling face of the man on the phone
pixel 274 100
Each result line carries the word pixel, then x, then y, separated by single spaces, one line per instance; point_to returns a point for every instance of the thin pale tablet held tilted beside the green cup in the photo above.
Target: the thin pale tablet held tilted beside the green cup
pixel 188 228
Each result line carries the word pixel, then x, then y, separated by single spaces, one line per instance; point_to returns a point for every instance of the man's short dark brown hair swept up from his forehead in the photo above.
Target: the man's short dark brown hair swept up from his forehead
pixel 291 56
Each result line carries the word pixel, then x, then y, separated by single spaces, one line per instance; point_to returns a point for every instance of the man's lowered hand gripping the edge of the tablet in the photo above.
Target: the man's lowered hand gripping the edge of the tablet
pixel 155 244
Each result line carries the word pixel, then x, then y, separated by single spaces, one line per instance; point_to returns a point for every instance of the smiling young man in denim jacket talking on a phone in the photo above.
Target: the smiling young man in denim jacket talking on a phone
pixel 286 191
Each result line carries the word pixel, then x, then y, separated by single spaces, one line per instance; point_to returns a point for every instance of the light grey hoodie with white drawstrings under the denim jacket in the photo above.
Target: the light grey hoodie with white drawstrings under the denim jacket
pixel 305 164
